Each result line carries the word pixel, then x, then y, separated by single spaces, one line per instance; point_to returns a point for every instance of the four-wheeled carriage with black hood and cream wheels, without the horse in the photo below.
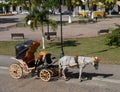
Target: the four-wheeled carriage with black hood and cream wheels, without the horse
pixel 26 63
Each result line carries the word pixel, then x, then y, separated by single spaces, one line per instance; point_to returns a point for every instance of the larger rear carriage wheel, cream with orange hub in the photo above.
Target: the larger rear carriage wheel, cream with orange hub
pixel 16 71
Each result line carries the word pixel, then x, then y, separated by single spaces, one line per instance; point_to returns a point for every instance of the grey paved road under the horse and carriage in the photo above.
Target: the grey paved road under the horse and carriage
pixel 106 79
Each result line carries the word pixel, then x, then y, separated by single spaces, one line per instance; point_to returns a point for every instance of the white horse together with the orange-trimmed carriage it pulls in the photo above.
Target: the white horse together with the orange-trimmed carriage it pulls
pixel 43 65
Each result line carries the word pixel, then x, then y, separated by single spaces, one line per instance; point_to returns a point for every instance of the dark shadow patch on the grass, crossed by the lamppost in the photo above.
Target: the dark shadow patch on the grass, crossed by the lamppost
pixel 65 43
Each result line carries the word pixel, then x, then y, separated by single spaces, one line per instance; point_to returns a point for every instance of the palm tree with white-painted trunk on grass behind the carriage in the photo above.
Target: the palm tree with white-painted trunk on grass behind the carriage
pixel 36 18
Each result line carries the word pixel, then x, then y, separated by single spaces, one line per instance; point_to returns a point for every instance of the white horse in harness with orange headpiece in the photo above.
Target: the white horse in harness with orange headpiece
pixel 79 61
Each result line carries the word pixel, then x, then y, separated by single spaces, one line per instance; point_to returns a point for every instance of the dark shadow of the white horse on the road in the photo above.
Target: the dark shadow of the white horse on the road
pixel 87 76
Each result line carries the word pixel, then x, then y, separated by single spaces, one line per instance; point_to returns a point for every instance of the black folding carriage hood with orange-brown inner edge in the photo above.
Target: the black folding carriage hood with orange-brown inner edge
pixel 26 52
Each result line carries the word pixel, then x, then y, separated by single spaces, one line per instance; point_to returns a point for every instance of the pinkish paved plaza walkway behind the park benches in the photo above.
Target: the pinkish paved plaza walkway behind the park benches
pixel 69 31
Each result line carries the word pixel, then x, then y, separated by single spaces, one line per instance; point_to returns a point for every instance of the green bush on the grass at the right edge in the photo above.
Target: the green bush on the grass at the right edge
pixel 113 38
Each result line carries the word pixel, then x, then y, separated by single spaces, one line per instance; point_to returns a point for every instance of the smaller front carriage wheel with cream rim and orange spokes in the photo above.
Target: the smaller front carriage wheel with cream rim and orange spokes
pixel 45 75
